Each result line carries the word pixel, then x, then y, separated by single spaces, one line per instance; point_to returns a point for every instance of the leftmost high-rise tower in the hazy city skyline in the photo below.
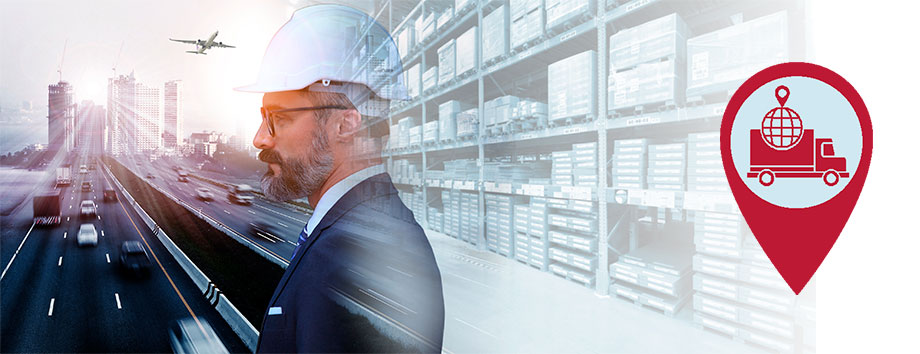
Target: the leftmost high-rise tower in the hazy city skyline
pixel 60 117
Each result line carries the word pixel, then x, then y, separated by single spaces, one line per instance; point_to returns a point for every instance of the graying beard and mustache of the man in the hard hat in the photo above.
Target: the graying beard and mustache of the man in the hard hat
pixel 298 178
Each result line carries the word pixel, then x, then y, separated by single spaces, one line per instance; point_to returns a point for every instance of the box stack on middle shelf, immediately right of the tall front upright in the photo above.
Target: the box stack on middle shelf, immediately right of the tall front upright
pixel 628 164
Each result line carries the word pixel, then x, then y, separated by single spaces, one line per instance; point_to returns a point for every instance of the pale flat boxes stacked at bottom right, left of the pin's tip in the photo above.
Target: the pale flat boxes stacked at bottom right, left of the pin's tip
pixel 738 292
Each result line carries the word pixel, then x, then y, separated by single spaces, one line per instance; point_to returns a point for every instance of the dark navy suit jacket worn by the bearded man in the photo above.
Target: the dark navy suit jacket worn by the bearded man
pixel 366 280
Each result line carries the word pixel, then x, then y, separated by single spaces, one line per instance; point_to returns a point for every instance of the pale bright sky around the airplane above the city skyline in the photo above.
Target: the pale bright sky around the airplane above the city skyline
pixel 33 36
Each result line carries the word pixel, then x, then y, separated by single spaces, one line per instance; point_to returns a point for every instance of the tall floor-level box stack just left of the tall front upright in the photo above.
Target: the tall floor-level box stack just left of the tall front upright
pixel 573 240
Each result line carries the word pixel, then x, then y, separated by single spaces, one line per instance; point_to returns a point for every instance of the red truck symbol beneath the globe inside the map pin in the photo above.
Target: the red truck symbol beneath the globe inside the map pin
pixel 809 158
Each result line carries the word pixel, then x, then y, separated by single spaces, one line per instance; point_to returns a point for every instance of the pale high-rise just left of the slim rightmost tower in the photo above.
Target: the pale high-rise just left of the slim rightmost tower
pixel 148 130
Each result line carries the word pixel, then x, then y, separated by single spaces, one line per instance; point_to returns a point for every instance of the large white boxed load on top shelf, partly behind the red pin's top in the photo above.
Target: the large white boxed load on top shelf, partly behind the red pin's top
pixel 722 60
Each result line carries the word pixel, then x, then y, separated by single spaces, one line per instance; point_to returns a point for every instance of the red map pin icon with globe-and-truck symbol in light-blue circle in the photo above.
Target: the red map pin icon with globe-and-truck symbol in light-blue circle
pixel 796 174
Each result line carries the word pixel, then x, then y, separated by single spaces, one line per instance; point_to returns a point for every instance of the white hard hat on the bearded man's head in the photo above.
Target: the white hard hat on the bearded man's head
pixel 334 45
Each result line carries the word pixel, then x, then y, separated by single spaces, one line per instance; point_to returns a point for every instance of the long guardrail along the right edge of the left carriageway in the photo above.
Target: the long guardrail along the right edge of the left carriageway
pixel 240 325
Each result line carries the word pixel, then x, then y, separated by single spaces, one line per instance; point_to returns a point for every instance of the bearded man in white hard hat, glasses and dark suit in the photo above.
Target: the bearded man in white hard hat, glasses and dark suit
pixel 363 277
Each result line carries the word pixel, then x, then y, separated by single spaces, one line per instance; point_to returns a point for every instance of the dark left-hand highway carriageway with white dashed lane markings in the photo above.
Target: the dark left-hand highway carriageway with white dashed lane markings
pixel 58 297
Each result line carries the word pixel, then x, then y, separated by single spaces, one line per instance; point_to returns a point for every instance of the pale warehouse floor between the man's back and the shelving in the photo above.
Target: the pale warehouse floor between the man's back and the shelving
pixel 495 304
